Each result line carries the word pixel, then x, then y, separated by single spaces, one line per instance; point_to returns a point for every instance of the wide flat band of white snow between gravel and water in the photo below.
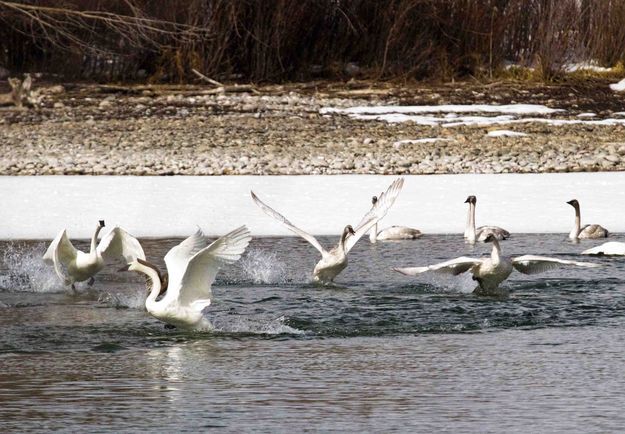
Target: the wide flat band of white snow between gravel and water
pixel 38 207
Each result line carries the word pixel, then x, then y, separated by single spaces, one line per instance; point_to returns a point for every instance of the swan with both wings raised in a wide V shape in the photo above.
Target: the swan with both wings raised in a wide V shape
pixel 335 260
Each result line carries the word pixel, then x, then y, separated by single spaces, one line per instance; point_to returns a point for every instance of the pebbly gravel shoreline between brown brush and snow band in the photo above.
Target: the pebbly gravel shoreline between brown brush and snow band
pixel 191 130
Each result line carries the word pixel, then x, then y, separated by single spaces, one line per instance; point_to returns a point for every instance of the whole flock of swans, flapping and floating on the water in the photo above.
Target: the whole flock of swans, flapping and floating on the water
pixel 193 264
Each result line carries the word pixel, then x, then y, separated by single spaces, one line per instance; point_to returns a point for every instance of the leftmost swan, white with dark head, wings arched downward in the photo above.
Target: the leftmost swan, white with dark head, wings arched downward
pixel 72 265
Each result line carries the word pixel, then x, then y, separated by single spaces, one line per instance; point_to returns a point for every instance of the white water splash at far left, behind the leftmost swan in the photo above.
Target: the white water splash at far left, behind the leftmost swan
pixel 27 271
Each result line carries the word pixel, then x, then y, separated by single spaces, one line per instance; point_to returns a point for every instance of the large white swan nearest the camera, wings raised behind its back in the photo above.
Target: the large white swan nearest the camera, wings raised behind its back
pixel 192 267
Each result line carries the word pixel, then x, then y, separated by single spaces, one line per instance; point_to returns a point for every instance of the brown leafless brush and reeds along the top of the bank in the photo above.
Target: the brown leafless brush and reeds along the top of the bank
pixel 260 40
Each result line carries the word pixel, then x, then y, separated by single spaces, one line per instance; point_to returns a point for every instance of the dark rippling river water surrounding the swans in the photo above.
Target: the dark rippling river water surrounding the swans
pixel 385 353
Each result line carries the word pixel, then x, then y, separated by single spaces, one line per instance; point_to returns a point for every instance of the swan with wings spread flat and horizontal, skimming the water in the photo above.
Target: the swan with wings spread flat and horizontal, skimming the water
pixel 490 272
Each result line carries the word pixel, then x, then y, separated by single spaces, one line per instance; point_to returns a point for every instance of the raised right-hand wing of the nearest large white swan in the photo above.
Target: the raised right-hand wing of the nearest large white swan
pixel 202 268
